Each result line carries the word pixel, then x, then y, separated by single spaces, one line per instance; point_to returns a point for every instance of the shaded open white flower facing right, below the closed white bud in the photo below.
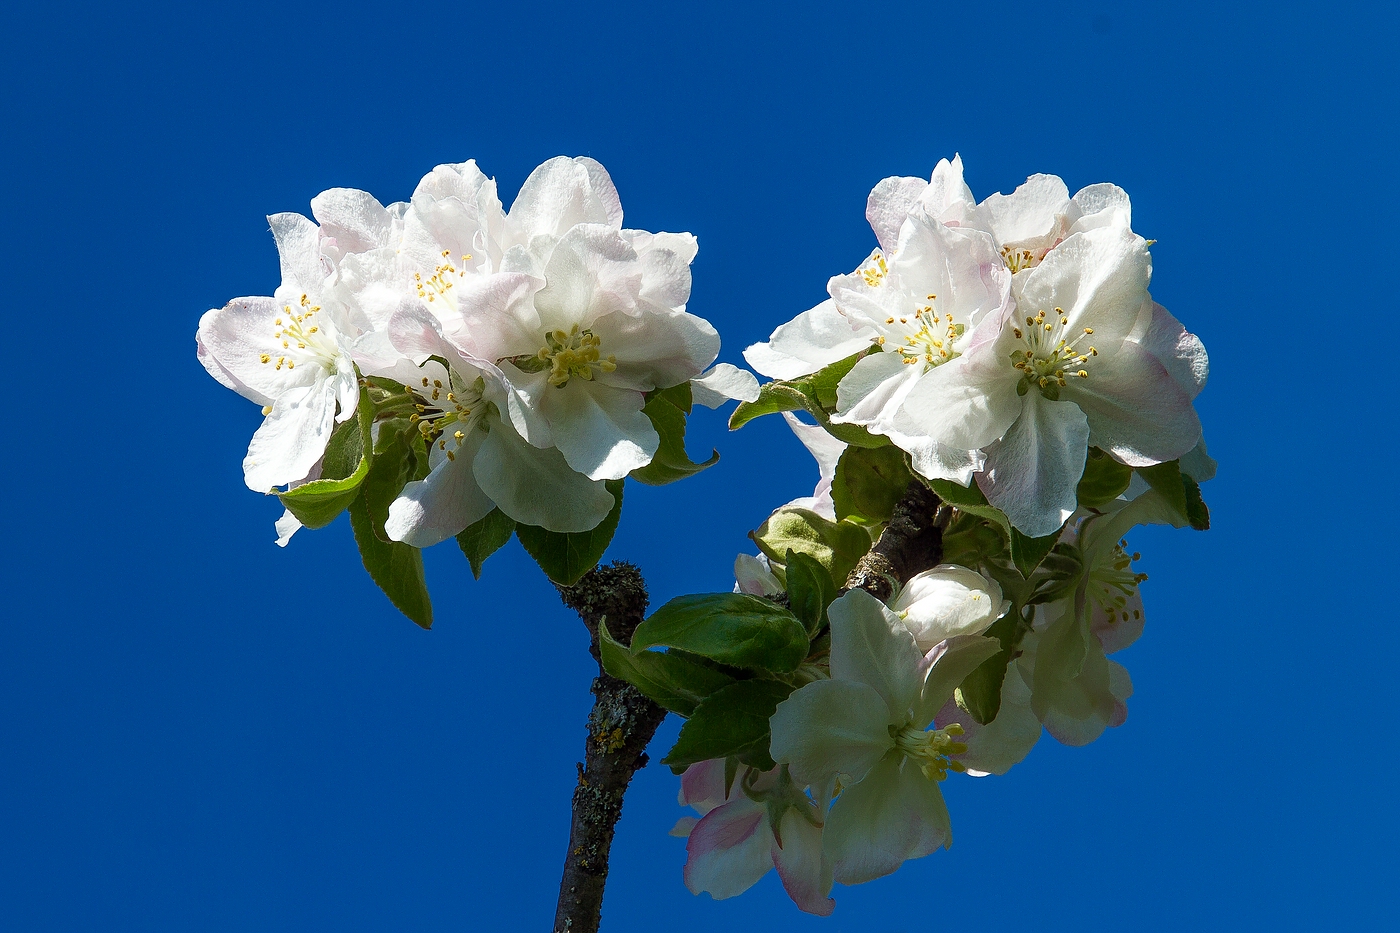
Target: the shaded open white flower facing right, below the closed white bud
pixel 867 728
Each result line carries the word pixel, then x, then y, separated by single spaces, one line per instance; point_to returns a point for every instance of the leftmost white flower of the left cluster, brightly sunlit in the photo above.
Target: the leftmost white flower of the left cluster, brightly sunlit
pixel 292 355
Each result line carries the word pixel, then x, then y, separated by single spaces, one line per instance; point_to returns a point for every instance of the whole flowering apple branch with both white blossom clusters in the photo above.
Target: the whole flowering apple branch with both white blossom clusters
pixel 992 396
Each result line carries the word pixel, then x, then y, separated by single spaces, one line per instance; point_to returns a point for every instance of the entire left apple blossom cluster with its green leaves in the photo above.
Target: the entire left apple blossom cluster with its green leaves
pixel 447 368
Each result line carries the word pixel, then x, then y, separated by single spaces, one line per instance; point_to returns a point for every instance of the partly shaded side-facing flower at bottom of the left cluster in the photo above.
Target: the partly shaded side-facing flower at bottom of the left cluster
pixel 478 462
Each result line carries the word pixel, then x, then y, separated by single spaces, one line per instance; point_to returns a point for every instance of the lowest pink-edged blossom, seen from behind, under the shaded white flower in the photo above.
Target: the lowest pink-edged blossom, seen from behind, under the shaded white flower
pixel 765 823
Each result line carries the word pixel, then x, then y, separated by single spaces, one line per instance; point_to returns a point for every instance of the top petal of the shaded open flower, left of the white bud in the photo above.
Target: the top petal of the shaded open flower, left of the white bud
pixel 871 645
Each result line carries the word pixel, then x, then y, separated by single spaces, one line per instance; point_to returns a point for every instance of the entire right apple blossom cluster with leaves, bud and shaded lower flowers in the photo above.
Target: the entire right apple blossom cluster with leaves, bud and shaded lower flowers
pixel 1009 358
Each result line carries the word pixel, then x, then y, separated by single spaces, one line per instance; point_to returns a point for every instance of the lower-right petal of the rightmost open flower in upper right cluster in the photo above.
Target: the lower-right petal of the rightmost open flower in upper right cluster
pixel 1136 410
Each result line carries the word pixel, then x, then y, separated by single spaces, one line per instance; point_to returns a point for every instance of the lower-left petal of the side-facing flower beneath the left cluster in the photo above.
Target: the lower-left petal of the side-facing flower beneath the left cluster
pixel 446 502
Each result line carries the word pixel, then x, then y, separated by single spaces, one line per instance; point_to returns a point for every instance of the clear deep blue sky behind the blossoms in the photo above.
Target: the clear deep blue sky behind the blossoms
pixel 202 732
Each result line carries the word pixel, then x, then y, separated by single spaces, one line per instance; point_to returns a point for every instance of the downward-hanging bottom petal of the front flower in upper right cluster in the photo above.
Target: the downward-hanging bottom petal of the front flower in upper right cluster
pixel 1034 471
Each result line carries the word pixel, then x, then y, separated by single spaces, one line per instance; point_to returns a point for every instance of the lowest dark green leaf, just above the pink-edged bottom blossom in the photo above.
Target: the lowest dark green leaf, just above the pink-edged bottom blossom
pixel 733 721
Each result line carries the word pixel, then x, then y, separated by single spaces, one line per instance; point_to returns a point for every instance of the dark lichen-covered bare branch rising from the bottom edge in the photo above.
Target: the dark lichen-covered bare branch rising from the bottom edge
pixel 619 728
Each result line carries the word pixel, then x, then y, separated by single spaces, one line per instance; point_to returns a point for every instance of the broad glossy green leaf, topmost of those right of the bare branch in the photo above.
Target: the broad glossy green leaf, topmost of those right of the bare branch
pixel 731 628
